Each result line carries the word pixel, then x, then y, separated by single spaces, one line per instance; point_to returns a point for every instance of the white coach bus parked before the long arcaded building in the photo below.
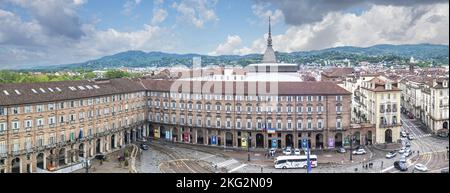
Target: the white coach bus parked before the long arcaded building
pixel 300 161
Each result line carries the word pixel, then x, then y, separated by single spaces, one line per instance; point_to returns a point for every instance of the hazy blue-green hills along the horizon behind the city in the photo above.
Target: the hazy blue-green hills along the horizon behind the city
pixel 378 53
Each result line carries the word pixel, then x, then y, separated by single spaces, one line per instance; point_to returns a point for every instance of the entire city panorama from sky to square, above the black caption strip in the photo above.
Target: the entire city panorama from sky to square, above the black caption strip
pixel 254 86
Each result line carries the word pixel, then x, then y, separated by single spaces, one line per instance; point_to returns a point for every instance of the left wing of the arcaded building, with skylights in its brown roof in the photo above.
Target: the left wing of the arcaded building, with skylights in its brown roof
pixel 50 126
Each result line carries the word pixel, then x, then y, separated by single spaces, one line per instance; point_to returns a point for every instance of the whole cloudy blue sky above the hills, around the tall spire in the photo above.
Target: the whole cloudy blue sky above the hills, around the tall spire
pixel 45 32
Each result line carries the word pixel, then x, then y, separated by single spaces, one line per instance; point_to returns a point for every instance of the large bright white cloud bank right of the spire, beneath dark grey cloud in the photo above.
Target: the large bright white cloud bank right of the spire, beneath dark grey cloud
pixel 380 24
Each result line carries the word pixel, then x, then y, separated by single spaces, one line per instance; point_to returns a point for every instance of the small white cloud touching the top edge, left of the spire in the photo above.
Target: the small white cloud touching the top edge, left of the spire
pixel 196 12
